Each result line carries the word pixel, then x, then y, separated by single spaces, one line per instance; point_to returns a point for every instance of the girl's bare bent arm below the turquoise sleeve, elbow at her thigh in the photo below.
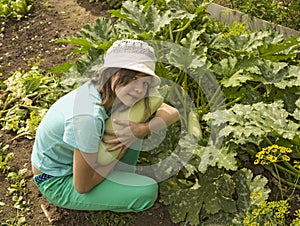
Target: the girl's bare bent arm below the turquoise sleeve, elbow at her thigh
pixel 86 173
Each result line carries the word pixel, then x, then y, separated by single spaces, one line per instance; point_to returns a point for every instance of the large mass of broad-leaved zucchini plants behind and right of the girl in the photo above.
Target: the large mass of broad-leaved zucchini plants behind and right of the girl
pixel 244 87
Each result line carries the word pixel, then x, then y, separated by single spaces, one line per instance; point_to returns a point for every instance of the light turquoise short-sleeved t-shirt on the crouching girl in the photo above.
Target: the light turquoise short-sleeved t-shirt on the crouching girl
pixel 75 121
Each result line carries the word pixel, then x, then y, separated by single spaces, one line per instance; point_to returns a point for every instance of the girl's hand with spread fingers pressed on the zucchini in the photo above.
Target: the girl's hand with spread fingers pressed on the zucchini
pixel 130 133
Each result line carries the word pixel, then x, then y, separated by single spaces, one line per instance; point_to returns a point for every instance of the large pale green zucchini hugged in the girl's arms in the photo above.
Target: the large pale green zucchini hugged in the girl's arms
pixel 135 114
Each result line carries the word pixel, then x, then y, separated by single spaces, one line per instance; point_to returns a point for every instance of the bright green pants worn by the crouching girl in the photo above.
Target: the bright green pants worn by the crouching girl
pixel 122 191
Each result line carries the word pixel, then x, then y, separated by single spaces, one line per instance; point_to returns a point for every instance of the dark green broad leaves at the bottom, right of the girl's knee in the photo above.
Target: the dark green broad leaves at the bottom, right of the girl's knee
pixel 211 195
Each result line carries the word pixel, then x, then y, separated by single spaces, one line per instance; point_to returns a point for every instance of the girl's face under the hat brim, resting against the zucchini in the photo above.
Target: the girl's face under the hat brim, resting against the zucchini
pixel 134 91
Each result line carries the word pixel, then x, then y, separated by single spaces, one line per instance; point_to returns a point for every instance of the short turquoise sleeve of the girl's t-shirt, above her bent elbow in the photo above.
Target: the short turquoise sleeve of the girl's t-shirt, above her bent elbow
pixel 84 132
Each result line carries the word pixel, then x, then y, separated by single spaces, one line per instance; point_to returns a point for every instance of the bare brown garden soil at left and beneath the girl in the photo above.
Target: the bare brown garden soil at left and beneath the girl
pixel 34 37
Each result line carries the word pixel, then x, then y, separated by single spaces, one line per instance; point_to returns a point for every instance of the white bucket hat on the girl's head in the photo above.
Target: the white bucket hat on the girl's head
pixel 133 55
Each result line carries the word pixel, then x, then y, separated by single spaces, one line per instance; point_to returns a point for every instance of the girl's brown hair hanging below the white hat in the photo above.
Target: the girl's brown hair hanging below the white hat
pixel 103 82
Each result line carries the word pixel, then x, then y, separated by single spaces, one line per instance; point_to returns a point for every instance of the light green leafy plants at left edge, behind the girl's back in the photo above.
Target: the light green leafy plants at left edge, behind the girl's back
pixel 25 99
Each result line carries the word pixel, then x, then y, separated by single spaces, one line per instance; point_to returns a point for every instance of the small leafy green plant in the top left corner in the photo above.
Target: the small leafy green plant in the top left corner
pixel 15 9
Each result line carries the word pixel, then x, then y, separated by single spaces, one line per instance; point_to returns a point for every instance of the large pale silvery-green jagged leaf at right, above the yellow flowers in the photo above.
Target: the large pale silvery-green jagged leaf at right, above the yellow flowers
pixel 252 123
